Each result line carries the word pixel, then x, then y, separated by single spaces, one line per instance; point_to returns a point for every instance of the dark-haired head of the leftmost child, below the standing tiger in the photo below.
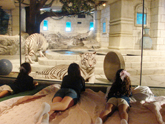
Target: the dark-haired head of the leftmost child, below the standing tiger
pixel 25 68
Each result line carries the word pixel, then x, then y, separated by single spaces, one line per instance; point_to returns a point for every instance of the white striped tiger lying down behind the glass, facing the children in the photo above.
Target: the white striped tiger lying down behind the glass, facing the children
pixel 87 67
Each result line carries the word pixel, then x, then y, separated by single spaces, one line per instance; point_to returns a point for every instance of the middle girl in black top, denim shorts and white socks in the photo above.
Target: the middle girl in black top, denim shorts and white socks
pixel 72 86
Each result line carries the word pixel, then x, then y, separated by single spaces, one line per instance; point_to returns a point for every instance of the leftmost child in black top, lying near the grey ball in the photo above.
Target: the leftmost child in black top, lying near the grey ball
pixel 22 83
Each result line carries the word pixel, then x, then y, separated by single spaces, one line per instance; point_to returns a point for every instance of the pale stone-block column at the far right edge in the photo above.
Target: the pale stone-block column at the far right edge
pixel 157 30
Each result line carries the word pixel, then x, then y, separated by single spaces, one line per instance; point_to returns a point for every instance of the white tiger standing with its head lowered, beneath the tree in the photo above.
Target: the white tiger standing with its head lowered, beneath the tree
pixel 35 42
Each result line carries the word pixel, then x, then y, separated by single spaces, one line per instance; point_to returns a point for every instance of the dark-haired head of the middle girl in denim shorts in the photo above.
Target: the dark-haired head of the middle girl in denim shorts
pixel 74 70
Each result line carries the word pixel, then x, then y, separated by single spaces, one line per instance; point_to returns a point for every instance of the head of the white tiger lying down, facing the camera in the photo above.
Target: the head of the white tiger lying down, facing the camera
pixel 88 60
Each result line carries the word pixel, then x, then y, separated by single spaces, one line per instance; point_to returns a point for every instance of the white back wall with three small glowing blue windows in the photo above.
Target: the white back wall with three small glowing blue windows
pixel 55 25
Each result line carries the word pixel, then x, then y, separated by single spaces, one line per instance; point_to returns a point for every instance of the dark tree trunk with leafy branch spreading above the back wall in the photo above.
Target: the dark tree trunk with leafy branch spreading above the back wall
pixel 69 7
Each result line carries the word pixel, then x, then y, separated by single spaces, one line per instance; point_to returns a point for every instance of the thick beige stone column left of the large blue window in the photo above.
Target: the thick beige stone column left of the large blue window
pixel 121 24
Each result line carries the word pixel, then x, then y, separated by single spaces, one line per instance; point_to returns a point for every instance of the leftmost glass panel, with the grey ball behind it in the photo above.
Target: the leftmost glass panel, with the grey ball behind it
pixel 9 43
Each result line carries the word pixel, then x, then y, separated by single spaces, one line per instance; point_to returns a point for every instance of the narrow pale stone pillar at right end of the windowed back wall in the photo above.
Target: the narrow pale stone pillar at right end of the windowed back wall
pixel 97 17
